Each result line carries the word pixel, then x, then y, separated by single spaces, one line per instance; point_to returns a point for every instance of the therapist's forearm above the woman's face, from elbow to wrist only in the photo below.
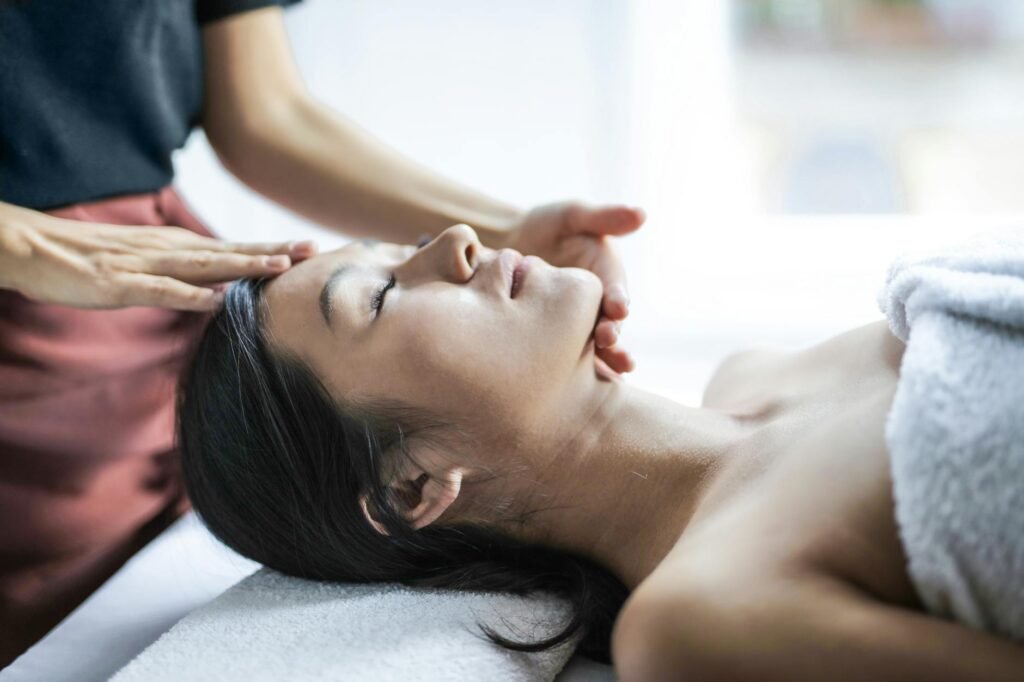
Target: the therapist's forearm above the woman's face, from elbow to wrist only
pixel 327 168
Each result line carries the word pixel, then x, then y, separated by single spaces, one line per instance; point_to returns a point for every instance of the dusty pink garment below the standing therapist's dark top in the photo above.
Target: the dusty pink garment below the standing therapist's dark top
pixel 89 470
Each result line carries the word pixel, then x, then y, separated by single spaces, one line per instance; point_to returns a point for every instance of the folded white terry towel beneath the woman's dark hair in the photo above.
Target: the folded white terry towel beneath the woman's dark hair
pixel 272 627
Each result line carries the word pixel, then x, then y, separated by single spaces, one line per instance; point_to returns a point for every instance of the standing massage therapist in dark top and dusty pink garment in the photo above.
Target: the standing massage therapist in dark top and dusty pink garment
pixel 106 278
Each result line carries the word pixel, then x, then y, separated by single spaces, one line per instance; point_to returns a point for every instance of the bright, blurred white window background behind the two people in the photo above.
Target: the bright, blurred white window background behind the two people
pixel 786 151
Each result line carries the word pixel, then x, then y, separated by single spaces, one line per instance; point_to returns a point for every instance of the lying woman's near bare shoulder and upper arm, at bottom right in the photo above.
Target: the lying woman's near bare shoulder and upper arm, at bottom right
pixel 798 627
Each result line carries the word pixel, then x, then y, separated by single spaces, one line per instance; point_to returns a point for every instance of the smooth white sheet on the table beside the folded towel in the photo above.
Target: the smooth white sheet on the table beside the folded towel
pixel 181 571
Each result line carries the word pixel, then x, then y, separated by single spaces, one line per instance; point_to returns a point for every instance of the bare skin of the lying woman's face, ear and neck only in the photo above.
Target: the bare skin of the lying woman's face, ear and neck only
pixel 517 378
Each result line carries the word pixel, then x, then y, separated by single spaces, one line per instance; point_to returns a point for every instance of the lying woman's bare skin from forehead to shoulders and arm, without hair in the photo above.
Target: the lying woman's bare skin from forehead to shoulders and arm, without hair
pixel 739 525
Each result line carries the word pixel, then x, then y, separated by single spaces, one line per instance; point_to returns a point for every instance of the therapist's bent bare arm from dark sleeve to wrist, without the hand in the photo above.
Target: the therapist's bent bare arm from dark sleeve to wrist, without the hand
pixel 277 139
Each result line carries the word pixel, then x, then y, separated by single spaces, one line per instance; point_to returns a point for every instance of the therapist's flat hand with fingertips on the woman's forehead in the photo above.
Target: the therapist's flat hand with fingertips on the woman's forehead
pixel 98 266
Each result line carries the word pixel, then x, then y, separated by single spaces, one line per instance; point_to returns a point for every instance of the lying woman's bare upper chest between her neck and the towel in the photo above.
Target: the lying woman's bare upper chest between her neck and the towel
pixel 814 491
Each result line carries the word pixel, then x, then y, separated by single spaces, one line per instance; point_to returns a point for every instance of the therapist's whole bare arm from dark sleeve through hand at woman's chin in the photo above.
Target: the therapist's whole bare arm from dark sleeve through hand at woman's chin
pixel 276 138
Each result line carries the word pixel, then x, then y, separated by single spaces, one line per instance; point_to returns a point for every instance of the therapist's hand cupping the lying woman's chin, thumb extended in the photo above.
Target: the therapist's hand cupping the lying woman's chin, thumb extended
pixel 573 235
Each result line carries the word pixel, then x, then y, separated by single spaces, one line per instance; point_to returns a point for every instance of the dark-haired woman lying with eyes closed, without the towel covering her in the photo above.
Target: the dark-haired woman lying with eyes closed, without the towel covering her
pixel 434 417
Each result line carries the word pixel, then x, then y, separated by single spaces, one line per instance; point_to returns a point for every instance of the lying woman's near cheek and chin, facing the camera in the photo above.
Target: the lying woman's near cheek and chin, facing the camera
pixel 474 360
